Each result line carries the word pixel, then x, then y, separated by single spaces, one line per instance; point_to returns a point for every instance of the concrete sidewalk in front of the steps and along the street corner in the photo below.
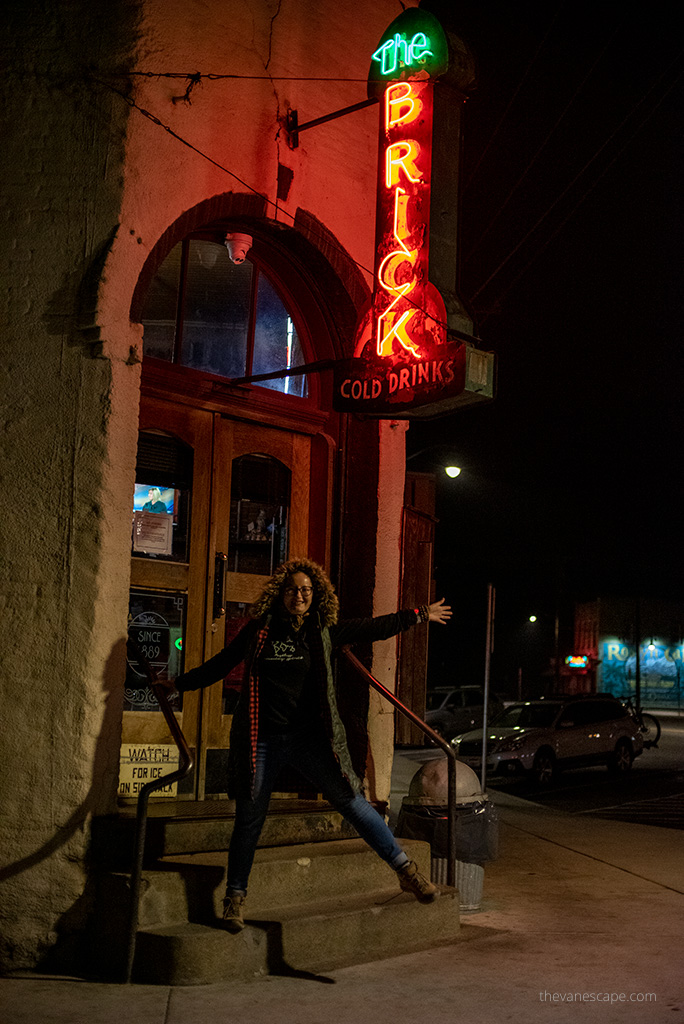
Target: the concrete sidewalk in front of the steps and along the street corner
pixel 577 912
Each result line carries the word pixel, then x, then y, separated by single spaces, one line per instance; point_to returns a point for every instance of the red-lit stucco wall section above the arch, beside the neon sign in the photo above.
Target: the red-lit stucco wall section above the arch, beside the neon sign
pixel 308 56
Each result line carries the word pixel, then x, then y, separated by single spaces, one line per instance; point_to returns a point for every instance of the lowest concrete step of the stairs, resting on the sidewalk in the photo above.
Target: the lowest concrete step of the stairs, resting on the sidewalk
pixel 319 936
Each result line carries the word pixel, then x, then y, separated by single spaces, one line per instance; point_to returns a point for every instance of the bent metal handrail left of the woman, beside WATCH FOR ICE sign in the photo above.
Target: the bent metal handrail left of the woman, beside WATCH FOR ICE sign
pixel 186 765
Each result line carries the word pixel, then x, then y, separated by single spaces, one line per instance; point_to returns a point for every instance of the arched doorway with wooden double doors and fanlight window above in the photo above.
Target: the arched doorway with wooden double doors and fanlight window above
pixel 231 480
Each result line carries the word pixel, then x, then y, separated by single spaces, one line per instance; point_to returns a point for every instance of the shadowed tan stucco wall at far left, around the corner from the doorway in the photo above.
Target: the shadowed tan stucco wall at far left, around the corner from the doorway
pixel 67 463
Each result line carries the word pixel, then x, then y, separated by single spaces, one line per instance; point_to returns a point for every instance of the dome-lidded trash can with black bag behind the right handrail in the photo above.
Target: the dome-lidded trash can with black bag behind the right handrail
pixel 424 816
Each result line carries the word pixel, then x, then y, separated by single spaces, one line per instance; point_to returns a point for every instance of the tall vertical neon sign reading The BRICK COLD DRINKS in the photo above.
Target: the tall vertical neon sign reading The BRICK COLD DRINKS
pixel 403 362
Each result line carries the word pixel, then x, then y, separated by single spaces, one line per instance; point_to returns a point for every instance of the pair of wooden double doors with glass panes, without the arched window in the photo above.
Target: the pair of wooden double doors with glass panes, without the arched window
pixel 219 505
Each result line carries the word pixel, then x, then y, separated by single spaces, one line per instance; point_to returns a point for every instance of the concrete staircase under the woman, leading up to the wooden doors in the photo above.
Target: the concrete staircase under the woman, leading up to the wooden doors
pixel 312 908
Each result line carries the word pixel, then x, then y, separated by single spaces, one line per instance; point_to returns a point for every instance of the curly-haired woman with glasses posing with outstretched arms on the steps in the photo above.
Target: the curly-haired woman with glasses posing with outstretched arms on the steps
pixel 287 714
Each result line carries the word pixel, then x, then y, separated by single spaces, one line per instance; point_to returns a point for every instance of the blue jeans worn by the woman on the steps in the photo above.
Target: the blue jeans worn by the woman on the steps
pixel 313 756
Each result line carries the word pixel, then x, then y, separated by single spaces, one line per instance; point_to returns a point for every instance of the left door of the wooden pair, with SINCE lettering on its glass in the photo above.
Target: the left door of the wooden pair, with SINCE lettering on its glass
pixel 168 585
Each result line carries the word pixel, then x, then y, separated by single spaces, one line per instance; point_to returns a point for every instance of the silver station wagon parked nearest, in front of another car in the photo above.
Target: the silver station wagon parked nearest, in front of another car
pixel 541 738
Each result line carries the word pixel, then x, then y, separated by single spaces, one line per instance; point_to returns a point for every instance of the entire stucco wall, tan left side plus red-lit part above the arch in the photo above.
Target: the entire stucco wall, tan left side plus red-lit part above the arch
pixel 91 186
